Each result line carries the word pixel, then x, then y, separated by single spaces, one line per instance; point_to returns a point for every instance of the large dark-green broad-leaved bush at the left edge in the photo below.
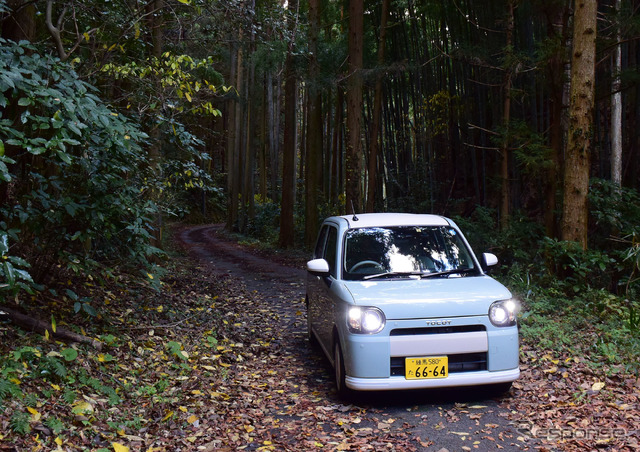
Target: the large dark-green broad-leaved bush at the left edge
pixel 74 172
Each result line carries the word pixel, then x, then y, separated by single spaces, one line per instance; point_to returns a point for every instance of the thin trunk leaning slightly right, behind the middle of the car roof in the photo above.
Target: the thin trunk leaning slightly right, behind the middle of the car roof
pixel 372 180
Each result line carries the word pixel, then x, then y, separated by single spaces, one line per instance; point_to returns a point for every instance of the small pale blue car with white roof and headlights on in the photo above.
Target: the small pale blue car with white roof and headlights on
pixel 400 301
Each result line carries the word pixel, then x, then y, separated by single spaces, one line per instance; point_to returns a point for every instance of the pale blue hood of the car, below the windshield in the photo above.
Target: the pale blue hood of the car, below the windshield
pixel 429 298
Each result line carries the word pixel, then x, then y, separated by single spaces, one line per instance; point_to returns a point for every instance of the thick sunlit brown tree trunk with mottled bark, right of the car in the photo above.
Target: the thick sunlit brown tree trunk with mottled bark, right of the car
pixel 577 163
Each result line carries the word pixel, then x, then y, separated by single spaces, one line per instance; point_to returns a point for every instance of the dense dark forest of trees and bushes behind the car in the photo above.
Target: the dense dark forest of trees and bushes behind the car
pixel 520 119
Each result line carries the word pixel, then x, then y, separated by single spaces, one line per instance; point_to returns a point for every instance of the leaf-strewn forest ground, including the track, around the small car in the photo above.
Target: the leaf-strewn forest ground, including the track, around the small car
pixel 216 358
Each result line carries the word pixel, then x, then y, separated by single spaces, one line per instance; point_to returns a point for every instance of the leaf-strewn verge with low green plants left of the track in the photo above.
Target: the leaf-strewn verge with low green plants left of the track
pixel 58 396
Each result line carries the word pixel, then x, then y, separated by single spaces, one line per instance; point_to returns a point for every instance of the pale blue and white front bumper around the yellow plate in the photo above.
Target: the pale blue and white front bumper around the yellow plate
pixel 479 354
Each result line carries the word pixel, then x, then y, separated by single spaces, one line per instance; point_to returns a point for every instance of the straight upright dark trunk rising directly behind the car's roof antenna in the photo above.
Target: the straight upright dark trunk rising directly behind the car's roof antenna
pixel 354 107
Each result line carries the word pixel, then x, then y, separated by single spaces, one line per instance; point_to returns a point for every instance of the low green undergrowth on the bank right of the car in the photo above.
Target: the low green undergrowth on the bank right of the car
pixel 578 301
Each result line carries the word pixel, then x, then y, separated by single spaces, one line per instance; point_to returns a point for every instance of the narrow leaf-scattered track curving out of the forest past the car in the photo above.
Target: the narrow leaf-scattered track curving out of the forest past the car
pixel 284 399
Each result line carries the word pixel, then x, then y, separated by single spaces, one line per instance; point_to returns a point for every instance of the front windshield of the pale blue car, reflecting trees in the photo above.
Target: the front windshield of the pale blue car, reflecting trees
pixel 405 251
